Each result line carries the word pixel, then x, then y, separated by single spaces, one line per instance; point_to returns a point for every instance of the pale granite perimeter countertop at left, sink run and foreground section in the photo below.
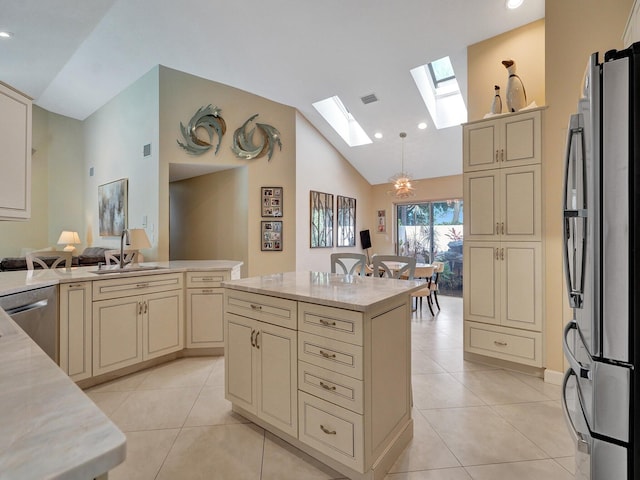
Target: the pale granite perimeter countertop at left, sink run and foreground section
pixel 48 427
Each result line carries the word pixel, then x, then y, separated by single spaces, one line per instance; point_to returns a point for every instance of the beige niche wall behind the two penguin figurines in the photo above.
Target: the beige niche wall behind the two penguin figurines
pixel 525 45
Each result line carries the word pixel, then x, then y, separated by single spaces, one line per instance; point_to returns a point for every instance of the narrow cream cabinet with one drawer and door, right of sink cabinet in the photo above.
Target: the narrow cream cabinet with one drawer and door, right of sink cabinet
pixel 205 326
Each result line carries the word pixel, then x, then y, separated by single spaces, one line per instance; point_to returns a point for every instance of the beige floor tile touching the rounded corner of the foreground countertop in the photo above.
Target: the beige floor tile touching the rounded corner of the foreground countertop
pixel 145 453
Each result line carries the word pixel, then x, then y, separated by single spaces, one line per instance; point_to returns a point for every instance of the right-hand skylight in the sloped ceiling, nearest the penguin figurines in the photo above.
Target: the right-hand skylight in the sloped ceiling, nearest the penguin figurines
pixel 440 92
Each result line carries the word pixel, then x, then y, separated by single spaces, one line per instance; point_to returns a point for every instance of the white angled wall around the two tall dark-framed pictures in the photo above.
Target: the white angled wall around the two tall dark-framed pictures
pixel 320 167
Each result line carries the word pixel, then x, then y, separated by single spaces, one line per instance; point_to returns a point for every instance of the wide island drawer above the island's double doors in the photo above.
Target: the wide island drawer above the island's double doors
pixel 277 311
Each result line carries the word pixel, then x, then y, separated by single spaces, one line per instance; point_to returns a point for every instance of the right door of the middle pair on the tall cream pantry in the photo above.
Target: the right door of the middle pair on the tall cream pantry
pixel 520 203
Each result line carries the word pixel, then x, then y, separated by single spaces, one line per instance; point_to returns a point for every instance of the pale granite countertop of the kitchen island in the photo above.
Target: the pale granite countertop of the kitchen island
pixel 331 289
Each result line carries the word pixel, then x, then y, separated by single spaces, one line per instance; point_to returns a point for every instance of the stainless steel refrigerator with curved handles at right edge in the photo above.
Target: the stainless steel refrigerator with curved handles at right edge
pixel 601 214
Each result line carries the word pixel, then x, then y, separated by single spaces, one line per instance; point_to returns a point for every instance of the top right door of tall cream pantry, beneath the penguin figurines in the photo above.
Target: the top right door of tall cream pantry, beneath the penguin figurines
pixel 521 139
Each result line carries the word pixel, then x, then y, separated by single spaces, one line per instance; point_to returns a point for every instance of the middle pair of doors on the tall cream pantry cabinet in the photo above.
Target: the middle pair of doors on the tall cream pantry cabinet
pixel 503 204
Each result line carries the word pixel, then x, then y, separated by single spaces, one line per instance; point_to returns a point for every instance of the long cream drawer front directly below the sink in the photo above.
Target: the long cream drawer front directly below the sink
pixel 138 285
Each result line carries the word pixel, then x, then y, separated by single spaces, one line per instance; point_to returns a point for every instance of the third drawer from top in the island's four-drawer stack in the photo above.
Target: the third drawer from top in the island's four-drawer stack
pixel 334 387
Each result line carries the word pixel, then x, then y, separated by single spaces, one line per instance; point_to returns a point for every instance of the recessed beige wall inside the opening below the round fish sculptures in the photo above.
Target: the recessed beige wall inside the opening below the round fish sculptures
pixel 209 217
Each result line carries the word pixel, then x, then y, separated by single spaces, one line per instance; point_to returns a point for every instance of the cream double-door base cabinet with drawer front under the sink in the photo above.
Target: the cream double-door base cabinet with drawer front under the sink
pixel 136 319
